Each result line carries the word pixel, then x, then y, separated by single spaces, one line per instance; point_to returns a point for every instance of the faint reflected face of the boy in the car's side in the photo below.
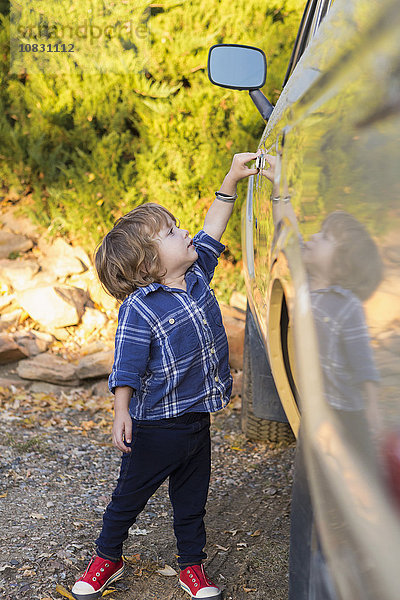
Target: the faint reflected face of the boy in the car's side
pixel 318 254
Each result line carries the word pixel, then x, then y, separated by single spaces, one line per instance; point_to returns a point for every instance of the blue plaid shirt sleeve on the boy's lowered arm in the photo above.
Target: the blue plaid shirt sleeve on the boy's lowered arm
pixel 132 347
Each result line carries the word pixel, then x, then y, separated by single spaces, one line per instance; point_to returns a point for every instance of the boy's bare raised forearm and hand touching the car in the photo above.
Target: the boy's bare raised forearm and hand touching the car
pixel 220 212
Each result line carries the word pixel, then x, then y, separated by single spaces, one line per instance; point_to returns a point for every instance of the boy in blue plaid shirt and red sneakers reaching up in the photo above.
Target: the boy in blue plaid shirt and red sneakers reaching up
pixel 170 372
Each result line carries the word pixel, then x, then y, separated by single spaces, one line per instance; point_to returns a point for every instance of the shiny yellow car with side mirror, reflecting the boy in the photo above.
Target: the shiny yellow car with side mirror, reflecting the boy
pixel 321 249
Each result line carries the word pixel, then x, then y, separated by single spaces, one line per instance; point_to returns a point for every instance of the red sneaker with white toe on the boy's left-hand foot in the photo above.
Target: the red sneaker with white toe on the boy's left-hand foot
pixel 98 575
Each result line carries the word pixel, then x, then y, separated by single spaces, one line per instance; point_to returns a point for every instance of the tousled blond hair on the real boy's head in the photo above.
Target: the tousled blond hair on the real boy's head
pixel 127 258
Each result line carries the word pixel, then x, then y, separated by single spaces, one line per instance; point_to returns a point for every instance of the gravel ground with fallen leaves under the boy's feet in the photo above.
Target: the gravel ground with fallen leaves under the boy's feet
pixel 58 469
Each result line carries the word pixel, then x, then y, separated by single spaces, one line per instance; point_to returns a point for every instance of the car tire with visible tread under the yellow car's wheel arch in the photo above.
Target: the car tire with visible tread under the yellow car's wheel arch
pixel 255 428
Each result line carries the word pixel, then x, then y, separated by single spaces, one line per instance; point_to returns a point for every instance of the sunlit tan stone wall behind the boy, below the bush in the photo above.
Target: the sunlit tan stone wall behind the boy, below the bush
pixel 57 324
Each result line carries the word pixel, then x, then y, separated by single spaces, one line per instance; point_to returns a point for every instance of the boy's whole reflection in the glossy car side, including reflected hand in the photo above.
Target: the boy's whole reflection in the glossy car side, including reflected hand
pixel 344 269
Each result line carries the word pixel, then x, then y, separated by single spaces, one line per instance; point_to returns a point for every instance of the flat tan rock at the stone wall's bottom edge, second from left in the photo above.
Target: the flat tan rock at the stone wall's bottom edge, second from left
pixel 48 367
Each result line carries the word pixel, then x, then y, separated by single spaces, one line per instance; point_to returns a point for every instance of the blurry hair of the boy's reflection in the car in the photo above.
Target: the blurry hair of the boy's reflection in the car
pixel 356 264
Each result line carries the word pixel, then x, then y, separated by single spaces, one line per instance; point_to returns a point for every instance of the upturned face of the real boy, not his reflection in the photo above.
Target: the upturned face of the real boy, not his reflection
pixel 176 250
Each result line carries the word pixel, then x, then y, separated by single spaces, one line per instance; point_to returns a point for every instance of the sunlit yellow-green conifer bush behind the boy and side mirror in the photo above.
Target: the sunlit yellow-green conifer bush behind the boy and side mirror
pixel 81 147
